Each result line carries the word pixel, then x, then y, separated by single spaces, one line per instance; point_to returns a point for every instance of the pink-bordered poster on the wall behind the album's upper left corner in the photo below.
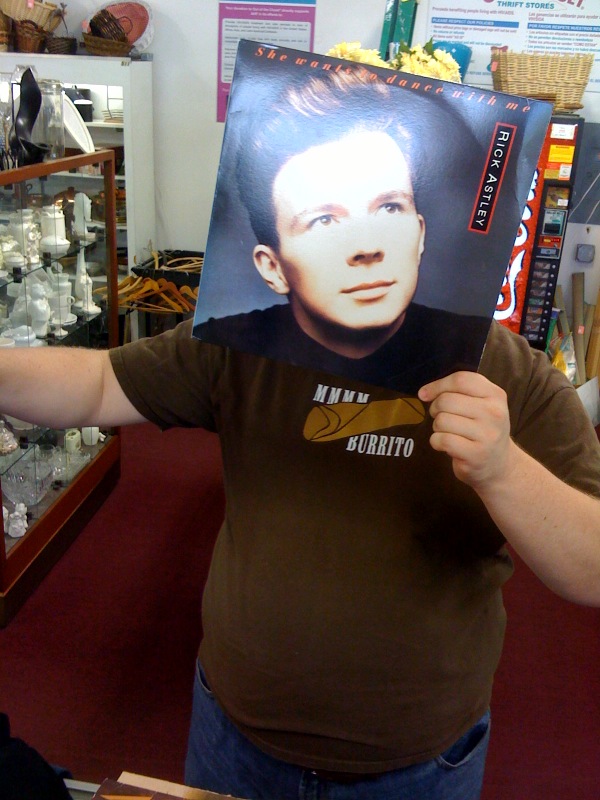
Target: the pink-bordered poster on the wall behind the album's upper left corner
pixel 286 23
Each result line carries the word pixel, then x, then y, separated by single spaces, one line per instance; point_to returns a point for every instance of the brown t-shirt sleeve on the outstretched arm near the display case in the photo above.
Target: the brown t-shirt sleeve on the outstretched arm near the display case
pixel 170 378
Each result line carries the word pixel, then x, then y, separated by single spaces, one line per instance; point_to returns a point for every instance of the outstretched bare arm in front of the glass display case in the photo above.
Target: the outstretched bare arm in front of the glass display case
pixel 63 387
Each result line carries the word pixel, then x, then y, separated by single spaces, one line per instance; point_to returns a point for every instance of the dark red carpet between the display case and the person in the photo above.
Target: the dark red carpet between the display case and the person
pixel 96 669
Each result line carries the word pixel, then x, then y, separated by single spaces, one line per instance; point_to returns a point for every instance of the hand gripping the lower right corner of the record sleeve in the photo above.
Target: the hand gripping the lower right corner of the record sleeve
pixel 471 424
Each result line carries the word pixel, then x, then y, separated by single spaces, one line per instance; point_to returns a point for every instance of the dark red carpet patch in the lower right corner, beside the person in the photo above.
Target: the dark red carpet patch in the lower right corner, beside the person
pixel 545 743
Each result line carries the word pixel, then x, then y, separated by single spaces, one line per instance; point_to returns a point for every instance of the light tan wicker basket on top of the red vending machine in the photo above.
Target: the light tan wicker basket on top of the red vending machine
pixel 543 75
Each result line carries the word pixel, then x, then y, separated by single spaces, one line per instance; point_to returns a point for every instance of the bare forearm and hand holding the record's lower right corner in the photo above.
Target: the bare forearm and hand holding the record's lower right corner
pixel 554 527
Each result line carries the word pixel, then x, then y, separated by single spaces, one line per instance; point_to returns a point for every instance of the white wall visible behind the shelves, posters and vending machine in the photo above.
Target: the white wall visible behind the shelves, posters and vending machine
pixel 188 140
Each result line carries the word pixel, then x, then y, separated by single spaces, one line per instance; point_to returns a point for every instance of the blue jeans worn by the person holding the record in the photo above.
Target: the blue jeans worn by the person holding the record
pixel 221 759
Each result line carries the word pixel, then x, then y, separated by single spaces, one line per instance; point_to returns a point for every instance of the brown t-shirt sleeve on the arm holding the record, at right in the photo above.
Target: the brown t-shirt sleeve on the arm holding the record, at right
pixel 548 419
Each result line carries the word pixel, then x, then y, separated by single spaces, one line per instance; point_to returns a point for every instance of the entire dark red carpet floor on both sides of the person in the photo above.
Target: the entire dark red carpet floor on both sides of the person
pixel 96 669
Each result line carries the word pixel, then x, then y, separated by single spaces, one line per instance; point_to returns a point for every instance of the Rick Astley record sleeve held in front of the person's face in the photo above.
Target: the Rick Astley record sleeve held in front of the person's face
pixel 363 218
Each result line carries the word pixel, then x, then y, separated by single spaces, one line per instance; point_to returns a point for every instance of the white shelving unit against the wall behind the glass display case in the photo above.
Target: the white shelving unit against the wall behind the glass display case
pixel 115 84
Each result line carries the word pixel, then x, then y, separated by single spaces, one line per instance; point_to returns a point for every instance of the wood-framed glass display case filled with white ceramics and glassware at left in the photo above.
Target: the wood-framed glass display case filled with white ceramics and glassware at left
pixel 58 285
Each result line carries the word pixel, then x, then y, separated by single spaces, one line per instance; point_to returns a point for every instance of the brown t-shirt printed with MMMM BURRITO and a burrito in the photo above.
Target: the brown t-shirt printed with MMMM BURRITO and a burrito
pixel 353 615
